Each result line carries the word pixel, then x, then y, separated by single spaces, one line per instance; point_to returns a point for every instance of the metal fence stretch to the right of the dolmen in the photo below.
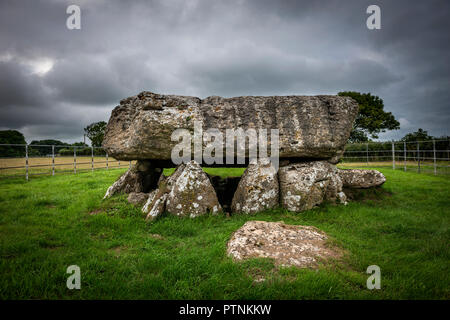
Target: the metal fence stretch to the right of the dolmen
pixel 431 156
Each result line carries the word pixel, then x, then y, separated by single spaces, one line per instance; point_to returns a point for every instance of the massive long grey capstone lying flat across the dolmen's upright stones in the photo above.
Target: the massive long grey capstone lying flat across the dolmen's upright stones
pixel 313 127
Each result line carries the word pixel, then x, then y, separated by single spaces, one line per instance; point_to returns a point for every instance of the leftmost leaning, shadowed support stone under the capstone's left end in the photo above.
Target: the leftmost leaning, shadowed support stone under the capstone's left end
pixel 141 177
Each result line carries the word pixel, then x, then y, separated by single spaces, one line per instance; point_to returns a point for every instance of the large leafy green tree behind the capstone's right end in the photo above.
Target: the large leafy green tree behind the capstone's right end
pixel 371 118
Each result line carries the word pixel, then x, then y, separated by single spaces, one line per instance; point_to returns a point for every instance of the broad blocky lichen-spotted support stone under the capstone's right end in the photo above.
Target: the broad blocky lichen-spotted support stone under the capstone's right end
pixel 306 185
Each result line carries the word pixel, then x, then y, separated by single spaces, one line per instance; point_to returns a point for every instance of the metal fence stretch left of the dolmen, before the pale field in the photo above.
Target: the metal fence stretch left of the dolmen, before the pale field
pixel 18 160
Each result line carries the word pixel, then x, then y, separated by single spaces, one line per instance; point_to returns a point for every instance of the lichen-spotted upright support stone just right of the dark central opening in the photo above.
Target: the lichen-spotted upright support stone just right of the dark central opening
pixel 258 188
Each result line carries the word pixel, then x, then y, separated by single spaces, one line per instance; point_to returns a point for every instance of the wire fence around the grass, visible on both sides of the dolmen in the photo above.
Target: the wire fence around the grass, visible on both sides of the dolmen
pixel 19 160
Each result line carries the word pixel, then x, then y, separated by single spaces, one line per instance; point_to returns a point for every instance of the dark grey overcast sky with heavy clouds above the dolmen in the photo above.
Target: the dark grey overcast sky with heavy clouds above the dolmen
pixel 55 81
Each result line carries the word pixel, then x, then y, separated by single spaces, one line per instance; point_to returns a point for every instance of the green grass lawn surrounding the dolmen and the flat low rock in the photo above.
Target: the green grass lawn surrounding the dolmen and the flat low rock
pixel 47 224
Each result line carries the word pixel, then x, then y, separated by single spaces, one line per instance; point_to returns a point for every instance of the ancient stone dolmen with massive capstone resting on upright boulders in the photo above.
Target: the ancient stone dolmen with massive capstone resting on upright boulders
pixel 289 145
